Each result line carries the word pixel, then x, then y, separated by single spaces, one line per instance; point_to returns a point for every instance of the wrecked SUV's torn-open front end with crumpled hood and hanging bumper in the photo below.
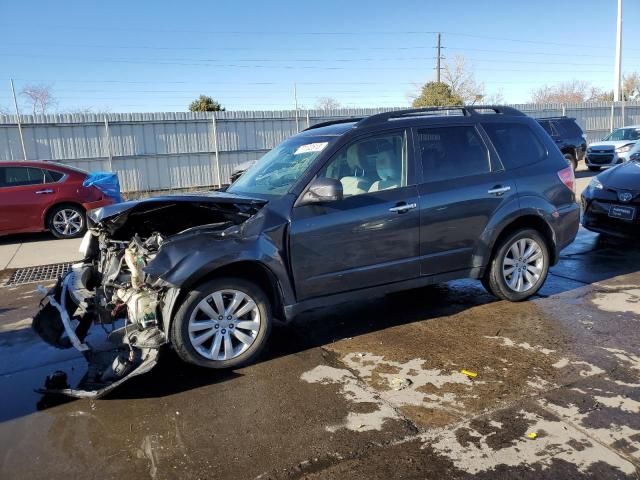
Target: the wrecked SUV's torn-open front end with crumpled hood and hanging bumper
pixel 112 290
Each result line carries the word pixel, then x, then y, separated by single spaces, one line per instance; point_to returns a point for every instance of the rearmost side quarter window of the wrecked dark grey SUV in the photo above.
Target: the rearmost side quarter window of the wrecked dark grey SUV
pixel 516 144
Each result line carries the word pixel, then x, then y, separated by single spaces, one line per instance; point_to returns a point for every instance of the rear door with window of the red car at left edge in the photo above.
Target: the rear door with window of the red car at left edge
pixel 24 196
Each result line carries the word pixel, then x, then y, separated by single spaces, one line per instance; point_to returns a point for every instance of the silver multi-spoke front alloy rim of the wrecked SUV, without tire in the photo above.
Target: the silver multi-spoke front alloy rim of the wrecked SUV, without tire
pixel 224 324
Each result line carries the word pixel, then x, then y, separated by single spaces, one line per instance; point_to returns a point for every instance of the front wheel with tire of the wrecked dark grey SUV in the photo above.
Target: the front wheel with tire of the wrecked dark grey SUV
pixel 246 342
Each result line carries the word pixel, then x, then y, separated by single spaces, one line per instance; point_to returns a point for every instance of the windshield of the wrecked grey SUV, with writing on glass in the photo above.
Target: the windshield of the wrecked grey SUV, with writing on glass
pixel 281 167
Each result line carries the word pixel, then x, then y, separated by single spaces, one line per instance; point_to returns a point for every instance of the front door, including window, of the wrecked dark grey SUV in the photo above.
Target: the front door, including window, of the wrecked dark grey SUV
pixel 368 238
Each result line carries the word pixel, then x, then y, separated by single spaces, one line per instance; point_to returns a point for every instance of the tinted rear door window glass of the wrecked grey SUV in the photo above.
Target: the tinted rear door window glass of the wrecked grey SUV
pixel 451 152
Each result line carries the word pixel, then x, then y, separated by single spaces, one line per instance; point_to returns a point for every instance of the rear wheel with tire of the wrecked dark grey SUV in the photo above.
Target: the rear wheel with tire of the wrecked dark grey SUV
pixel 500 284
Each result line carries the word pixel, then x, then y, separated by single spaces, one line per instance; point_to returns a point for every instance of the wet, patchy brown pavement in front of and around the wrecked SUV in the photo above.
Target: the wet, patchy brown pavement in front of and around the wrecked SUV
pixel 363 390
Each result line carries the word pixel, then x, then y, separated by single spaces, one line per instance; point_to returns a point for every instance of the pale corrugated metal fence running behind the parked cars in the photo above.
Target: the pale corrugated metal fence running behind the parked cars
pixel 157 151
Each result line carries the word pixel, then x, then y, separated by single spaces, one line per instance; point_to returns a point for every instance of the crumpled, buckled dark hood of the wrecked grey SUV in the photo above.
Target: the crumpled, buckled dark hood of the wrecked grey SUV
pixel 171 214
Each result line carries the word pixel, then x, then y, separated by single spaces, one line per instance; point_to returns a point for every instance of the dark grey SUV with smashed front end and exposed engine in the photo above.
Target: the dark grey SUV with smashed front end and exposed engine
pixel 341 211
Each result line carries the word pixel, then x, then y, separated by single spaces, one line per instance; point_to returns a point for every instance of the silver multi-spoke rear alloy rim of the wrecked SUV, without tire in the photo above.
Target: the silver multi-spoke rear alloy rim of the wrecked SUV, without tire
pixel 523 265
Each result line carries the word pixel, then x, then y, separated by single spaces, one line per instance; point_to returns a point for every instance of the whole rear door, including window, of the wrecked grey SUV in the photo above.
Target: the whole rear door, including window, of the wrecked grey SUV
pixel 462 185
